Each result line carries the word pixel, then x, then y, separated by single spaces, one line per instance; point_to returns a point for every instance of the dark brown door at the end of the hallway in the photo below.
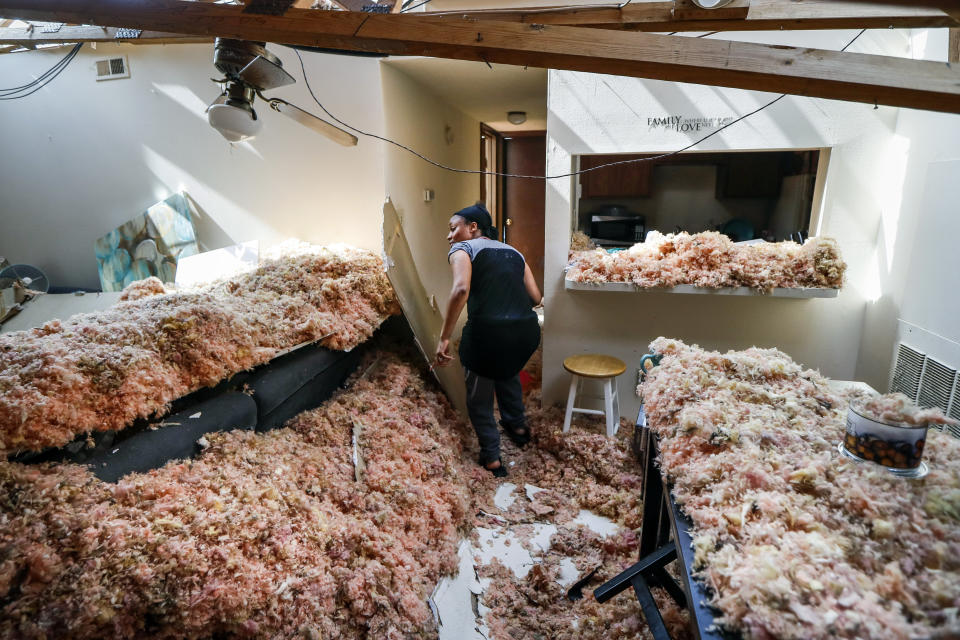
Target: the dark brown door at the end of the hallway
pixel 522 214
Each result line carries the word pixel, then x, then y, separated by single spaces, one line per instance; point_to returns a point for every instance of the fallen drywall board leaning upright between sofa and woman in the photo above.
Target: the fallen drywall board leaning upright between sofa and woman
pixel 421 312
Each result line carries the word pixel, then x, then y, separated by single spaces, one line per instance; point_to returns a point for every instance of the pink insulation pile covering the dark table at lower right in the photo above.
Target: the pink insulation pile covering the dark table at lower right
pixel 795 540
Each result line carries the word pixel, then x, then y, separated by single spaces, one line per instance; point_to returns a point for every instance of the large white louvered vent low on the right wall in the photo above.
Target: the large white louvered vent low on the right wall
pixel 927 382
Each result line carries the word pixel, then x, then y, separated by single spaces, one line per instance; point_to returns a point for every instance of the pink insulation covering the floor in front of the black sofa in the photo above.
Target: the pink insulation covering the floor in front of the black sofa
pixel 297 534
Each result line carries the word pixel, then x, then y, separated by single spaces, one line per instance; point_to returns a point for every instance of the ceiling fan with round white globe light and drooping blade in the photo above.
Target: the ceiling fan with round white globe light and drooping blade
pixel 249 69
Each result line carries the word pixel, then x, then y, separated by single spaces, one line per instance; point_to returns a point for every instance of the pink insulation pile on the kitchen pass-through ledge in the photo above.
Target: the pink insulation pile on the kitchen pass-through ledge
pixel 712 260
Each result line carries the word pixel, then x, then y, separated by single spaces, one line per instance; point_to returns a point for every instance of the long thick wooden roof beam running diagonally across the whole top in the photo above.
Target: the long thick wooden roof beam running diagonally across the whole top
pixel 799 71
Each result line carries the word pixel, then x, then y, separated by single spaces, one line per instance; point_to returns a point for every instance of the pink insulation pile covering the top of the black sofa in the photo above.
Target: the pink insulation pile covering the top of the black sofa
pixel 103 370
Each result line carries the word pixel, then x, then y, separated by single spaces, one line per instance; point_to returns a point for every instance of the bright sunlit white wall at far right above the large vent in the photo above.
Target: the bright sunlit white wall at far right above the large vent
pixel 916 263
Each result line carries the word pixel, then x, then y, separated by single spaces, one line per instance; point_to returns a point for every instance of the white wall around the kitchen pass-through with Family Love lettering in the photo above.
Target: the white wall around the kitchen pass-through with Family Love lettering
pixel 590 113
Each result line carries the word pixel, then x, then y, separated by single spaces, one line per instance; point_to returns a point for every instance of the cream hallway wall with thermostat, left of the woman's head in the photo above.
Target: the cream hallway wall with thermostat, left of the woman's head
pixel 418 117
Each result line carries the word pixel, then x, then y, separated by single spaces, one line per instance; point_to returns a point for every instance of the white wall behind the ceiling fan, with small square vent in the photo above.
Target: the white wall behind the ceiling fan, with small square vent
pixel 80 157
